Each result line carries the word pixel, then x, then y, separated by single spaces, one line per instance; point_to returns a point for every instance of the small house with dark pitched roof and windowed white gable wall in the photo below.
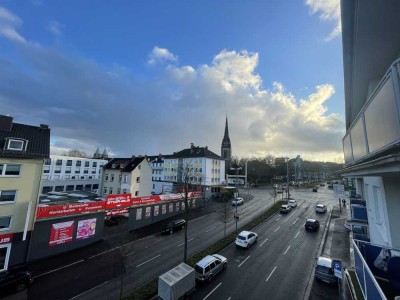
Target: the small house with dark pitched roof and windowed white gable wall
pixel 127 175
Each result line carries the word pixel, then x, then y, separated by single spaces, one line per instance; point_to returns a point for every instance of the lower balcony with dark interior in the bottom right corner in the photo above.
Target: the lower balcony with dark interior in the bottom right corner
pixel 377 270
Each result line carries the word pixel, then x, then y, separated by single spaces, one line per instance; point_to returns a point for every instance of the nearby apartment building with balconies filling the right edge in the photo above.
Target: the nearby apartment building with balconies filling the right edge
pixel 371 145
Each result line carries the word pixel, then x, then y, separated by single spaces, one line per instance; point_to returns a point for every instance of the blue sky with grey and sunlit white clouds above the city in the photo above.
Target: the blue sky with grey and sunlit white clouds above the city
pixel 151 77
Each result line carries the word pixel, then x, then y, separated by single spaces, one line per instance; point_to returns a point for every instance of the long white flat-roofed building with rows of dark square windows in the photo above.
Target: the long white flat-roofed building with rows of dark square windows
pixel 64 174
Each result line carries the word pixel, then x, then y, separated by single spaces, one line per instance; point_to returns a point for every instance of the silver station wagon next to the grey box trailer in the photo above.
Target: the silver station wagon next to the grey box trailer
pixel 210 266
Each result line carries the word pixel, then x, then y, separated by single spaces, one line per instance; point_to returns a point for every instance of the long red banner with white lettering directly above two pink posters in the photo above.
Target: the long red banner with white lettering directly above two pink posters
pixel 69 209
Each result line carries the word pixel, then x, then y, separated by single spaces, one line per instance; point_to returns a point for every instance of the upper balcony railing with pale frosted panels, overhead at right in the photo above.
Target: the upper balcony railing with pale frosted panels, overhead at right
pixel 376 127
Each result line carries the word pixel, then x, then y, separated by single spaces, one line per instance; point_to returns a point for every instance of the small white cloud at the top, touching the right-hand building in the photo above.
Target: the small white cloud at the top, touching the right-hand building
pixel 329 10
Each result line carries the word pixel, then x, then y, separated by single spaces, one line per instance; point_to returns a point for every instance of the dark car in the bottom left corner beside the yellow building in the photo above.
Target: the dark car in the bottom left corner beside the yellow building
pixel 14 281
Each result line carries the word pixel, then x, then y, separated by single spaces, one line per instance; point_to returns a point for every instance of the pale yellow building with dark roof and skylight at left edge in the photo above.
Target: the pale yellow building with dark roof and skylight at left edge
pixel 23 149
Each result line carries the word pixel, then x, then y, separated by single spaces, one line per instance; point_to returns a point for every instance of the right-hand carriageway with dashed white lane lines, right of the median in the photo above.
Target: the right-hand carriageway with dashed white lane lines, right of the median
pixel 279 265
